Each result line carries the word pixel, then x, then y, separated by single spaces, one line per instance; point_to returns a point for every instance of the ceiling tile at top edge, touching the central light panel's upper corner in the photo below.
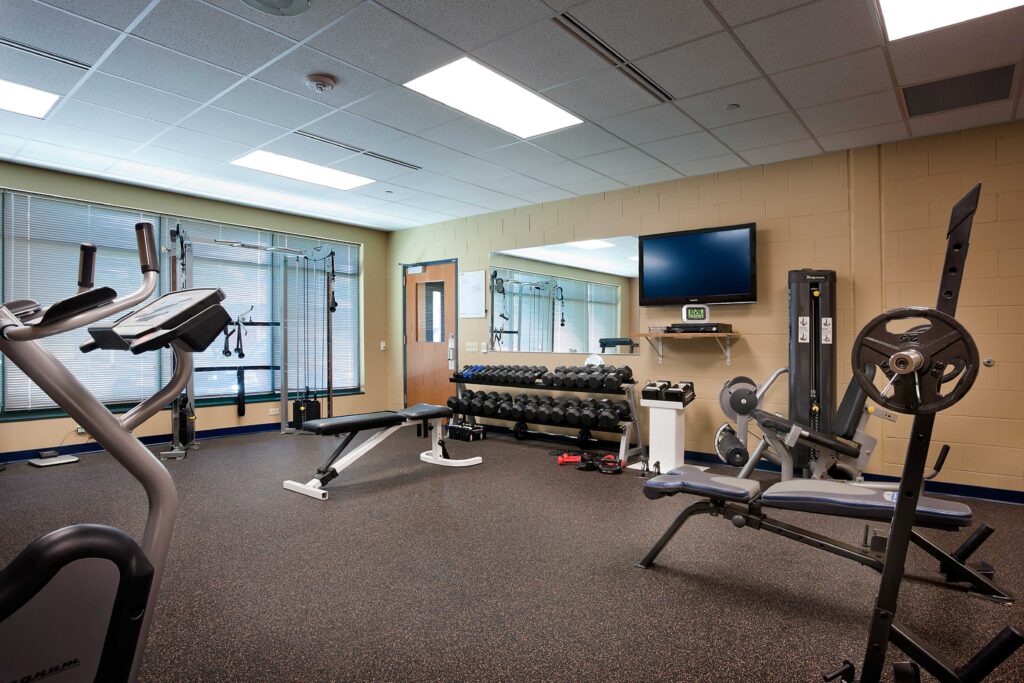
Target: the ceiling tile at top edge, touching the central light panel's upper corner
pixel 470 24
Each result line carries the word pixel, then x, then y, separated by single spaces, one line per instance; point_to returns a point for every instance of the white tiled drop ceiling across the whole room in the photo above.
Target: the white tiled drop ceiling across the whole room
pixel 166 94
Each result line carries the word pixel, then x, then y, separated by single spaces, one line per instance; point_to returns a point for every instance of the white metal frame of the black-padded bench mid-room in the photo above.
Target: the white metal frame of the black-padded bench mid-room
pixel 336 462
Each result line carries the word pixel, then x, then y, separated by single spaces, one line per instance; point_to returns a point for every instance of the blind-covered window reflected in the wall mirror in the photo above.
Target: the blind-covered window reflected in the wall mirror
pixel 554 315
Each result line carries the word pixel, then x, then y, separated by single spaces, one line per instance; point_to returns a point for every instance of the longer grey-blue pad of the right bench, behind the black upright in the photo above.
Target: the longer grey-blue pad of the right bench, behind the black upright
pixel 845 500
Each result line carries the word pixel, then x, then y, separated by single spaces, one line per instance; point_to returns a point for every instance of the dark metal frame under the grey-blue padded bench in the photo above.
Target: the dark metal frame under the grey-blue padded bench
pixel 954 566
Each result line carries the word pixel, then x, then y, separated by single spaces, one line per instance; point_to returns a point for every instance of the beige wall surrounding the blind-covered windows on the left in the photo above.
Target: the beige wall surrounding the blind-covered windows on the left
pixel 42 434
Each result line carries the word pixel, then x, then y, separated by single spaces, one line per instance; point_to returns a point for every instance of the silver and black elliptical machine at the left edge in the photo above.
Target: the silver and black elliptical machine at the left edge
pixel 76 605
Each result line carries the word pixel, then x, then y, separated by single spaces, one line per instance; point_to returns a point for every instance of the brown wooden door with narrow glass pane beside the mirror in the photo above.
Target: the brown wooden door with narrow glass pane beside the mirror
pixel 431 324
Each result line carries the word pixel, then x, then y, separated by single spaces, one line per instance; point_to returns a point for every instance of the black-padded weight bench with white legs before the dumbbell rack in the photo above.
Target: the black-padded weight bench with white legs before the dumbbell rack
pixel 387 423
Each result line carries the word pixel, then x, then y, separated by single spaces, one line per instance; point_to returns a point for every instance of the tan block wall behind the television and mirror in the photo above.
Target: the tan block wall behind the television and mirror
pixel 874 216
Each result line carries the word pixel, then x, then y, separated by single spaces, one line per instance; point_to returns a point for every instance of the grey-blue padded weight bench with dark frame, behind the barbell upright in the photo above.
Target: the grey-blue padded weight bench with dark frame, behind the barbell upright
pixel 743 502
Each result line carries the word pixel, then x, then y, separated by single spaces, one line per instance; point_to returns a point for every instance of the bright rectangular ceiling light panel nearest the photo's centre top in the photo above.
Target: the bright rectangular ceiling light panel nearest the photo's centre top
pixel 475 90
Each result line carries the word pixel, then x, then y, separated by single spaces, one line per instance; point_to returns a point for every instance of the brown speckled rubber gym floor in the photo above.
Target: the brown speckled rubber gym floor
pixel 517 570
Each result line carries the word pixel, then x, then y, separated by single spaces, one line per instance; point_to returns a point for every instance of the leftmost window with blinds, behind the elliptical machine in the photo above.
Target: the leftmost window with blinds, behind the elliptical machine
pixel 41 238
